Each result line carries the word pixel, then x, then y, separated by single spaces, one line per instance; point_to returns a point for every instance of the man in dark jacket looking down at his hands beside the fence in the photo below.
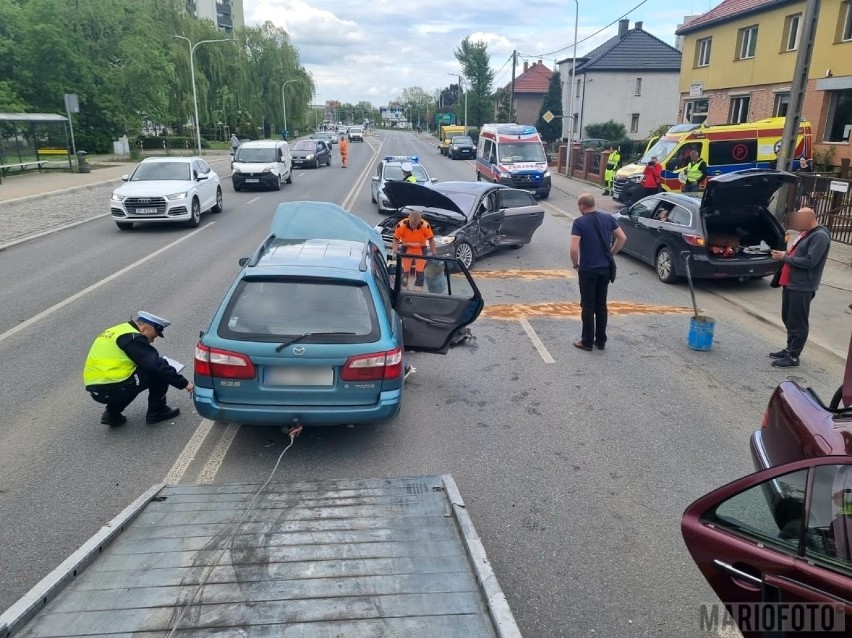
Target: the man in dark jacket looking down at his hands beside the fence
pixel 798 278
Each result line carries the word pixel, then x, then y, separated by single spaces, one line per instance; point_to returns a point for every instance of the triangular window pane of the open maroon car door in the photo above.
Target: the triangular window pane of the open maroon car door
pixel 771 513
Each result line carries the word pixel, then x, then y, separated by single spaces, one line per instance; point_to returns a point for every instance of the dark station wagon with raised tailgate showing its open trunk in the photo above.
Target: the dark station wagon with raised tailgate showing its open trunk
pixel 721 231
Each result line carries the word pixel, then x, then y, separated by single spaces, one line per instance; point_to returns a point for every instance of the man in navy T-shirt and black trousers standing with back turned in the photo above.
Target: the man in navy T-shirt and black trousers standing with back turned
pixel 595 238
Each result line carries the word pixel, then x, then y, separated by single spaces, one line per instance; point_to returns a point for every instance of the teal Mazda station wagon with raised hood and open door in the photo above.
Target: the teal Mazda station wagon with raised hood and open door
pixel 312 331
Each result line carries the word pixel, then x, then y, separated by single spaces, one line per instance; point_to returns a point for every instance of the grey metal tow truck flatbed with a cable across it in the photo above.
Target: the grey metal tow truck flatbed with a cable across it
pixel 349 558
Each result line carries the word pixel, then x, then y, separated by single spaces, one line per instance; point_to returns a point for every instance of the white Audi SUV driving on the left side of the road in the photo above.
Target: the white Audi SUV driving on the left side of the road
pixel 166 189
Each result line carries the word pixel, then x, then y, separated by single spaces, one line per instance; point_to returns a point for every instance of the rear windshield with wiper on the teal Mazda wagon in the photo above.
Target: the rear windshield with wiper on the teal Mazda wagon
pixel 272 309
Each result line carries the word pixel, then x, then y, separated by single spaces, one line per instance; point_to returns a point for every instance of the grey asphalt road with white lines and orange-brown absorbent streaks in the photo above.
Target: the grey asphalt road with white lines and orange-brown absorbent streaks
pixel 575 471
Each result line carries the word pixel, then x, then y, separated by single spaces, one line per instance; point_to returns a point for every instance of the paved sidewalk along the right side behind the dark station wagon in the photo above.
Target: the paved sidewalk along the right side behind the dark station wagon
pixel 830 320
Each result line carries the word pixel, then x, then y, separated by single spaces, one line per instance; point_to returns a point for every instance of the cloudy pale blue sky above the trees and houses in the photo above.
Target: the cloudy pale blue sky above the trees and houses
pixel 369 50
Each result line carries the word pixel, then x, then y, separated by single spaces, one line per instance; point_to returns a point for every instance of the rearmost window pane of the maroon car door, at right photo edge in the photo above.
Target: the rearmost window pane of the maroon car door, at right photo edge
pixel 829 531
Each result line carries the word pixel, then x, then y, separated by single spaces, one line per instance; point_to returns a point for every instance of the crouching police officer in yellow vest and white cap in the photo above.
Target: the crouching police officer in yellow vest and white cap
pixel 122 363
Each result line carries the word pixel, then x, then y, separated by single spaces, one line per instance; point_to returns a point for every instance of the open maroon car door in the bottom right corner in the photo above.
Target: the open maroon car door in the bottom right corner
pixel 776 547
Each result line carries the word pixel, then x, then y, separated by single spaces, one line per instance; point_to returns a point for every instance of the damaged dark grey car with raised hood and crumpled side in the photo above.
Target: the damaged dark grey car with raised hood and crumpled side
pixel 469 219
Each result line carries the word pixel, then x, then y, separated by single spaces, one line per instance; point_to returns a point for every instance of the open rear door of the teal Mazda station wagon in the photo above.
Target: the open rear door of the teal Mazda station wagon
pixel 444 303
